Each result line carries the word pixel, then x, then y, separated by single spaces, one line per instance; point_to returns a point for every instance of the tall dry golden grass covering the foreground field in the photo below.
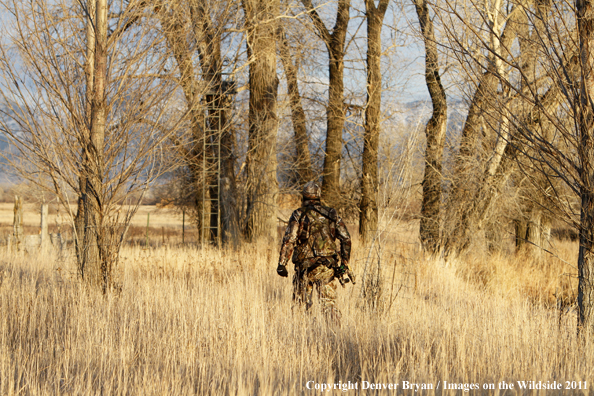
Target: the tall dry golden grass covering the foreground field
pixel 188 321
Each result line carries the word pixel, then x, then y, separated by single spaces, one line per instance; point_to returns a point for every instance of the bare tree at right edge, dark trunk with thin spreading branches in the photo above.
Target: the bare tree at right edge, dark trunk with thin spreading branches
pixel 550 141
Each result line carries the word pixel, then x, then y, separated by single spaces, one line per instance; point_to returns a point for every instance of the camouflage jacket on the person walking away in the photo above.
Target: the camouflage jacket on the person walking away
pixel 312 232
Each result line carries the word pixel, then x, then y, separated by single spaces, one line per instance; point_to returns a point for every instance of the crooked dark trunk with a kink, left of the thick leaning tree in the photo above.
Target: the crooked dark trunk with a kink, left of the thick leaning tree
pixel 435 133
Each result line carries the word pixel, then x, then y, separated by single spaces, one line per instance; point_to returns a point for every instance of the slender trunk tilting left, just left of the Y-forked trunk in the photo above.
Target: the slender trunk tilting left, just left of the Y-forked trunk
pixel 303 160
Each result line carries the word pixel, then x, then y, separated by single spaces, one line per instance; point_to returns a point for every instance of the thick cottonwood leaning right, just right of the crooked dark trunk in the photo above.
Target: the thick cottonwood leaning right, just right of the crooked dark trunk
pixel 482 46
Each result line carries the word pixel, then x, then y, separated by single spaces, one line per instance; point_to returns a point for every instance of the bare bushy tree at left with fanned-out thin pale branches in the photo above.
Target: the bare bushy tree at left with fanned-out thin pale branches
pixel 83 88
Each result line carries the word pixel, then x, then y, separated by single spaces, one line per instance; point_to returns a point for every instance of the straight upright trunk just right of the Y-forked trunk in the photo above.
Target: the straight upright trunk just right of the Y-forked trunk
pixel 368 218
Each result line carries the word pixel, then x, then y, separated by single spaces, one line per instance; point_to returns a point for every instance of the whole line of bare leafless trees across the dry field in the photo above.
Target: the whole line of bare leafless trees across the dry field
pixel 102 97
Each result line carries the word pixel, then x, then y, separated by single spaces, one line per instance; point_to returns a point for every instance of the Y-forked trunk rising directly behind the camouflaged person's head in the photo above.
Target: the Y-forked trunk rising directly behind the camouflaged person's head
pixel 335 116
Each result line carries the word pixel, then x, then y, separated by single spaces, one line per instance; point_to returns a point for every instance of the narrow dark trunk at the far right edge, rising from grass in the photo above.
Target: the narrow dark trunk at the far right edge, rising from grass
pixel 585 22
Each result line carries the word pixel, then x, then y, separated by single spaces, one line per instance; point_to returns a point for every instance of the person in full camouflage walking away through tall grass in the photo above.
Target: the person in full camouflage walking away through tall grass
pixel 310 240
